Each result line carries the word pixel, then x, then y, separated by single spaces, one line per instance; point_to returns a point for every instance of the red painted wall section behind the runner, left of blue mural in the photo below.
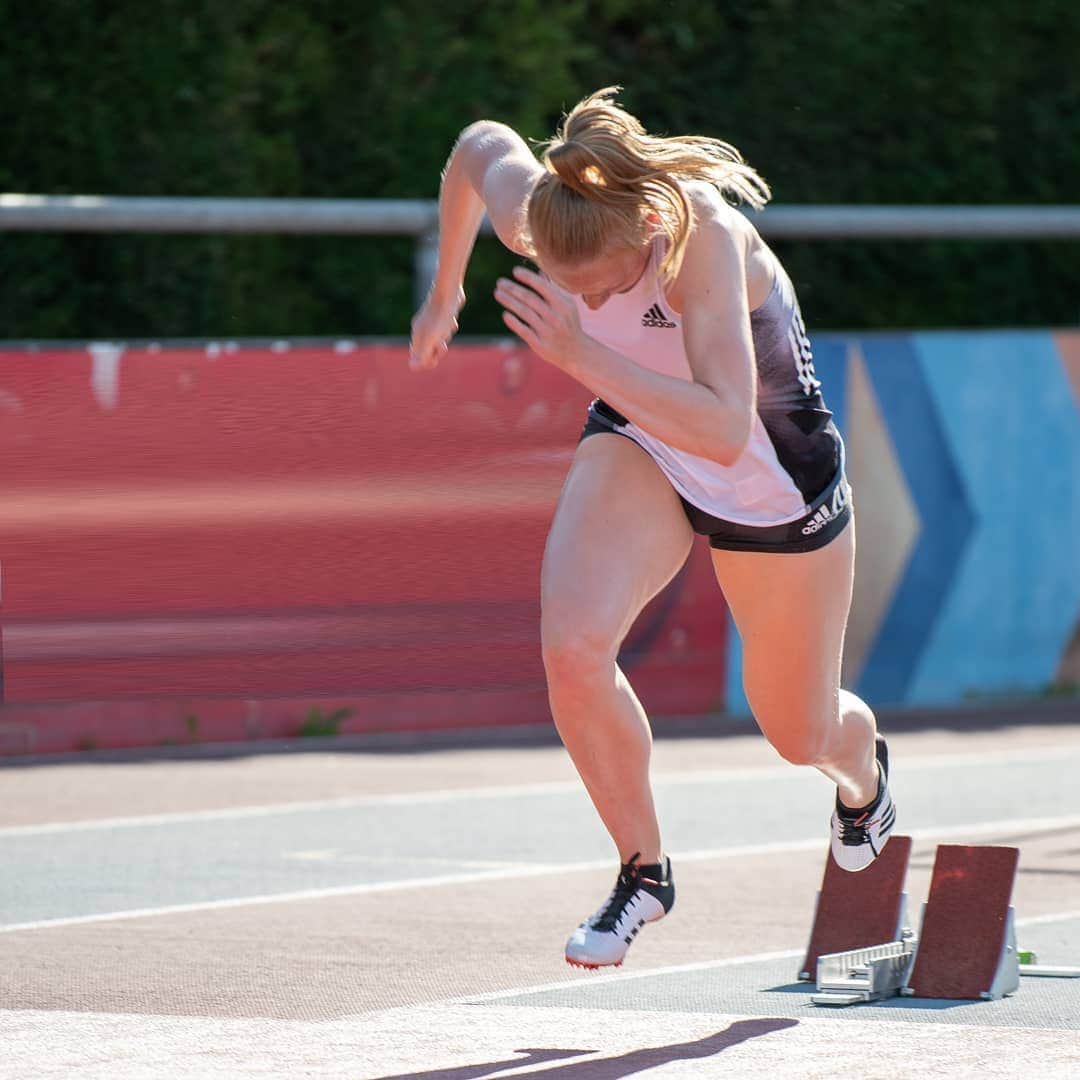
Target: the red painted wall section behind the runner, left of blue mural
pixel 208 543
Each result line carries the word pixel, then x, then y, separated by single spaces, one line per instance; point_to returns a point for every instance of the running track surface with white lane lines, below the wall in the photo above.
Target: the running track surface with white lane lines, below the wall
pixel 377 911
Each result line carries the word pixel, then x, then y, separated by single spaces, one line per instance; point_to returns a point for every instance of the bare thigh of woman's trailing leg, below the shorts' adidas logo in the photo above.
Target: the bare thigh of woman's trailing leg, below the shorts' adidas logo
pixel 791 611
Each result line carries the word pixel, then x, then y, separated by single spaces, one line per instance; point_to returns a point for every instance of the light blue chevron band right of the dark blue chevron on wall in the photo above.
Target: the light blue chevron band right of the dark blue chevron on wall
pixel 1012 428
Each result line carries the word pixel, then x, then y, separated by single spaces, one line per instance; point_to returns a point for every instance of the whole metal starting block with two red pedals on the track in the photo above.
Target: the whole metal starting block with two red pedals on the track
pixel 967 946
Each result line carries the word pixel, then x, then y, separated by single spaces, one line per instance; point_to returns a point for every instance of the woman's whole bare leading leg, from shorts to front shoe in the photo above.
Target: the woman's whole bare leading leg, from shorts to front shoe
pixel 618 537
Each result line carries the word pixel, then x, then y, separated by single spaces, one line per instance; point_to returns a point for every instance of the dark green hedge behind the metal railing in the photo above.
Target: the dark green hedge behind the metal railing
pixel 834 103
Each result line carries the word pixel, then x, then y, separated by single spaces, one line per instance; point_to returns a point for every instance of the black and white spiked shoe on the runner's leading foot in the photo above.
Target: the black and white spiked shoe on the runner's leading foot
pixel 642 895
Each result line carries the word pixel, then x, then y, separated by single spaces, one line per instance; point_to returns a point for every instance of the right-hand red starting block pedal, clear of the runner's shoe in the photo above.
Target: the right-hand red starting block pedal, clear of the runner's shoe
pixel 966 946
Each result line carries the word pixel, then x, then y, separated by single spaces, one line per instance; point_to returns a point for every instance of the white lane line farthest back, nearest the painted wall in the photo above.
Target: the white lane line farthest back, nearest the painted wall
pixel 748 775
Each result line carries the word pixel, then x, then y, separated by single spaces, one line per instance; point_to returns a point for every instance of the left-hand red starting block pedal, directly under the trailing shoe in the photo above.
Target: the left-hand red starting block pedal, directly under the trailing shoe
pixel 860 910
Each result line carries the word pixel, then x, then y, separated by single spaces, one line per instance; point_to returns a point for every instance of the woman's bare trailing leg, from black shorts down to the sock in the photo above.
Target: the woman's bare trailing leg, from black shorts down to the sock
pixel 792 611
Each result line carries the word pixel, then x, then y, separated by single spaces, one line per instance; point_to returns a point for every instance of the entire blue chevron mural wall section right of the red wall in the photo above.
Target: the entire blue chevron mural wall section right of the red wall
pixel 965 458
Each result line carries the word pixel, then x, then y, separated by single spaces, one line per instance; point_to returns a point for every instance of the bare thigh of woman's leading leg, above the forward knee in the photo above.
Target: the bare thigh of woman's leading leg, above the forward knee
pixel 618 537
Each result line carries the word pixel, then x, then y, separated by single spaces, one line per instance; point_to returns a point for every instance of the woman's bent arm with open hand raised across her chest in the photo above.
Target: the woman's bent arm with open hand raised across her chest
pixel 711 415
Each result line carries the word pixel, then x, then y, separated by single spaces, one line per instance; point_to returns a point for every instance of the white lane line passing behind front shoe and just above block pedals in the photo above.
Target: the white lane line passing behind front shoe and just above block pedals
pixel 515 871
